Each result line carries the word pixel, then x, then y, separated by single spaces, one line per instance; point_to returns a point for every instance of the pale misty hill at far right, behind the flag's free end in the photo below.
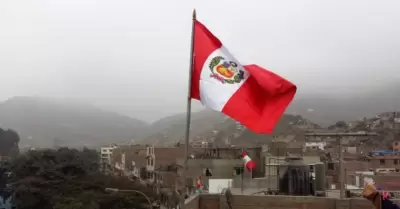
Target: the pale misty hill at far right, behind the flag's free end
pixel 328 109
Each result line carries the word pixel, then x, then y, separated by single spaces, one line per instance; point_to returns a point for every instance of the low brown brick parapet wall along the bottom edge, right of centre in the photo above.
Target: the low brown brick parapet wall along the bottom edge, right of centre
pixel 208 201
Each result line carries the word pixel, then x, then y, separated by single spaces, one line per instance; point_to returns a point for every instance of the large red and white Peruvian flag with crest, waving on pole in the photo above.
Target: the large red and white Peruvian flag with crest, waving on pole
pixel 252 95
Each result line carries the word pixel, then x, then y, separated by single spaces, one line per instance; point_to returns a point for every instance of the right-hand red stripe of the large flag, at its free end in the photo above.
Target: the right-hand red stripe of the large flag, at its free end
pixel 261 100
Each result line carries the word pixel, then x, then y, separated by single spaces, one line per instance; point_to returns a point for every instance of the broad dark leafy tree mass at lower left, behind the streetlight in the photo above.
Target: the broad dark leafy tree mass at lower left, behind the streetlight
pixel 69 179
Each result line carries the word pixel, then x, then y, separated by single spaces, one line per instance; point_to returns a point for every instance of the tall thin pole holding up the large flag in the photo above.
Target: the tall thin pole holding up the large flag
pixel 188 114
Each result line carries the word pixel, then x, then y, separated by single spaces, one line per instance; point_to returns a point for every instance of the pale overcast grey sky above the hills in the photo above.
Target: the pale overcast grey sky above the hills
pixel 132 56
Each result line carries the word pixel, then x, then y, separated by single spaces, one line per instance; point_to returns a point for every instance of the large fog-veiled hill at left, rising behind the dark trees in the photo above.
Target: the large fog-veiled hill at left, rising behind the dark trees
pixel 47 123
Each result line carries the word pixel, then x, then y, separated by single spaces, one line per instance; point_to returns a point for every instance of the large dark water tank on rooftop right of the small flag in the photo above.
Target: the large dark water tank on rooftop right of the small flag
pixel 295 178
